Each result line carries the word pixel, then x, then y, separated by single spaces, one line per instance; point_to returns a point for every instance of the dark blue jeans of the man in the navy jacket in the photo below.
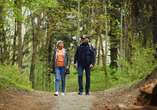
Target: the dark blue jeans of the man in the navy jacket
pixel 81 67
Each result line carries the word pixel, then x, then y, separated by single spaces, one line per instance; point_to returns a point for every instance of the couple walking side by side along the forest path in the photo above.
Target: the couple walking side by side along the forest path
pixel 83 60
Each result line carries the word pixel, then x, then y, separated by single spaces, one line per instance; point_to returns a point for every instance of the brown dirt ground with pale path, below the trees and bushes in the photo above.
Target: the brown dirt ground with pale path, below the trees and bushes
pixel 12 99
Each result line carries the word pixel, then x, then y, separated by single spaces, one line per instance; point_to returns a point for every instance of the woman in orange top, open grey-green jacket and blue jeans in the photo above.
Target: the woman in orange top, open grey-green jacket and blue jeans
pixel 60 66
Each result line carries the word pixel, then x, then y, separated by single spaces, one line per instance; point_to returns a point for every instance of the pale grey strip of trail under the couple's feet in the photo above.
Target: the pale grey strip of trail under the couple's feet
pixel 72 101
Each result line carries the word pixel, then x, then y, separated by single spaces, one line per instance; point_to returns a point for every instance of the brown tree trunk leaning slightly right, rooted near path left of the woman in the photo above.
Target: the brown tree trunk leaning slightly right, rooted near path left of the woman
pixel 35 43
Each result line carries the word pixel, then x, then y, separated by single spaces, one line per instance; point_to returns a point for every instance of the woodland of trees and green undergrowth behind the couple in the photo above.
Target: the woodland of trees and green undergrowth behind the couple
pixel 123 32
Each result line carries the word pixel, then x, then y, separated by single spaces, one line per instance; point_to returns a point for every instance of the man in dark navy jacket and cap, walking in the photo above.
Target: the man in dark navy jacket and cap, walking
pixel 85 58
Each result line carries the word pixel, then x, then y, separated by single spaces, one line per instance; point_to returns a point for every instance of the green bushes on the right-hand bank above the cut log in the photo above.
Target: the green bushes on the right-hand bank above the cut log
pixel 143 64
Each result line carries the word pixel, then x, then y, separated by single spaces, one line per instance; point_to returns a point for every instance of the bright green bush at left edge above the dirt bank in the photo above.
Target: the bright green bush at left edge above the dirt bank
pixel 13 75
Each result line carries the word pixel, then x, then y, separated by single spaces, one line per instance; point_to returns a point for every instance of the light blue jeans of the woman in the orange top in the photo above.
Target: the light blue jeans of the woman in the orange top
pixel 60 71
